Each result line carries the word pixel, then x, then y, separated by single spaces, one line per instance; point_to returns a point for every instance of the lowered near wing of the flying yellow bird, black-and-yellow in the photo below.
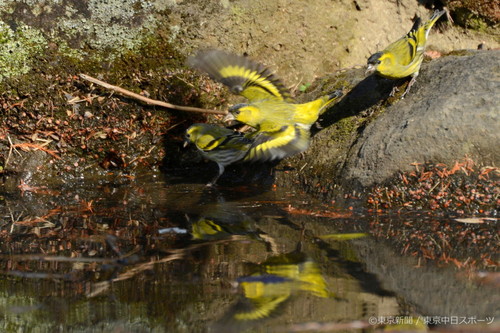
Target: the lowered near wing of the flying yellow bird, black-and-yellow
pixel 284 142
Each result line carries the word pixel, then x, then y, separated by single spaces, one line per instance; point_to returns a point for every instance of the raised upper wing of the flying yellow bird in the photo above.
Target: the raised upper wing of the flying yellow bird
pixel 243 76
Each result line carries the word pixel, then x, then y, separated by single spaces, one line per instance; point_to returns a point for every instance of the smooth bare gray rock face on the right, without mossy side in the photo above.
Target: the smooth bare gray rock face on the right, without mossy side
pixel 452 111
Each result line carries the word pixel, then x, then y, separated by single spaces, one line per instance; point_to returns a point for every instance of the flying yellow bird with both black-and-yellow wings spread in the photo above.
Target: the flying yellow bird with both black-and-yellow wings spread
pixel 282 126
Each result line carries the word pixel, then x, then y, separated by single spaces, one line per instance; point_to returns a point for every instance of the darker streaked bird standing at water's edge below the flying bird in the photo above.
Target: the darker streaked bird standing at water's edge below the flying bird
pixel 219 144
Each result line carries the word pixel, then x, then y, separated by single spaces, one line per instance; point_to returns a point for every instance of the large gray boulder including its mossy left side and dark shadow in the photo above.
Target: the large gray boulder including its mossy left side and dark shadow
pixel 451 112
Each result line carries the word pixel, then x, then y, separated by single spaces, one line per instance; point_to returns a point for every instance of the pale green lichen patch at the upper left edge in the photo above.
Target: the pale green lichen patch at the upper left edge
pixel 18 49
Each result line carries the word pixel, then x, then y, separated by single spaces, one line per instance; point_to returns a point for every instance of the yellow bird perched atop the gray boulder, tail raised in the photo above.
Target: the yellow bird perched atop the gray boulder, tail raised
pixel 404 57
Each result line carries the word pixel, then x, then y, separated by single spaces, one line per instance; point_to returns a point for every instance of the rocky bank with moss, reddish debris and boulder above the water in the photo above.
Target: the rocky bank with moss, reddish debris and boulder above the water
pixel 56 127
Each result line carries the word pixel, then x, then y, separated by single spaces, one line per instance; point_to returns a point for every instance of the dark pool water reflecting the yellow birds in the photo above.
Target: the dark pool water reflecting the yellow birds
pixel 151 256
